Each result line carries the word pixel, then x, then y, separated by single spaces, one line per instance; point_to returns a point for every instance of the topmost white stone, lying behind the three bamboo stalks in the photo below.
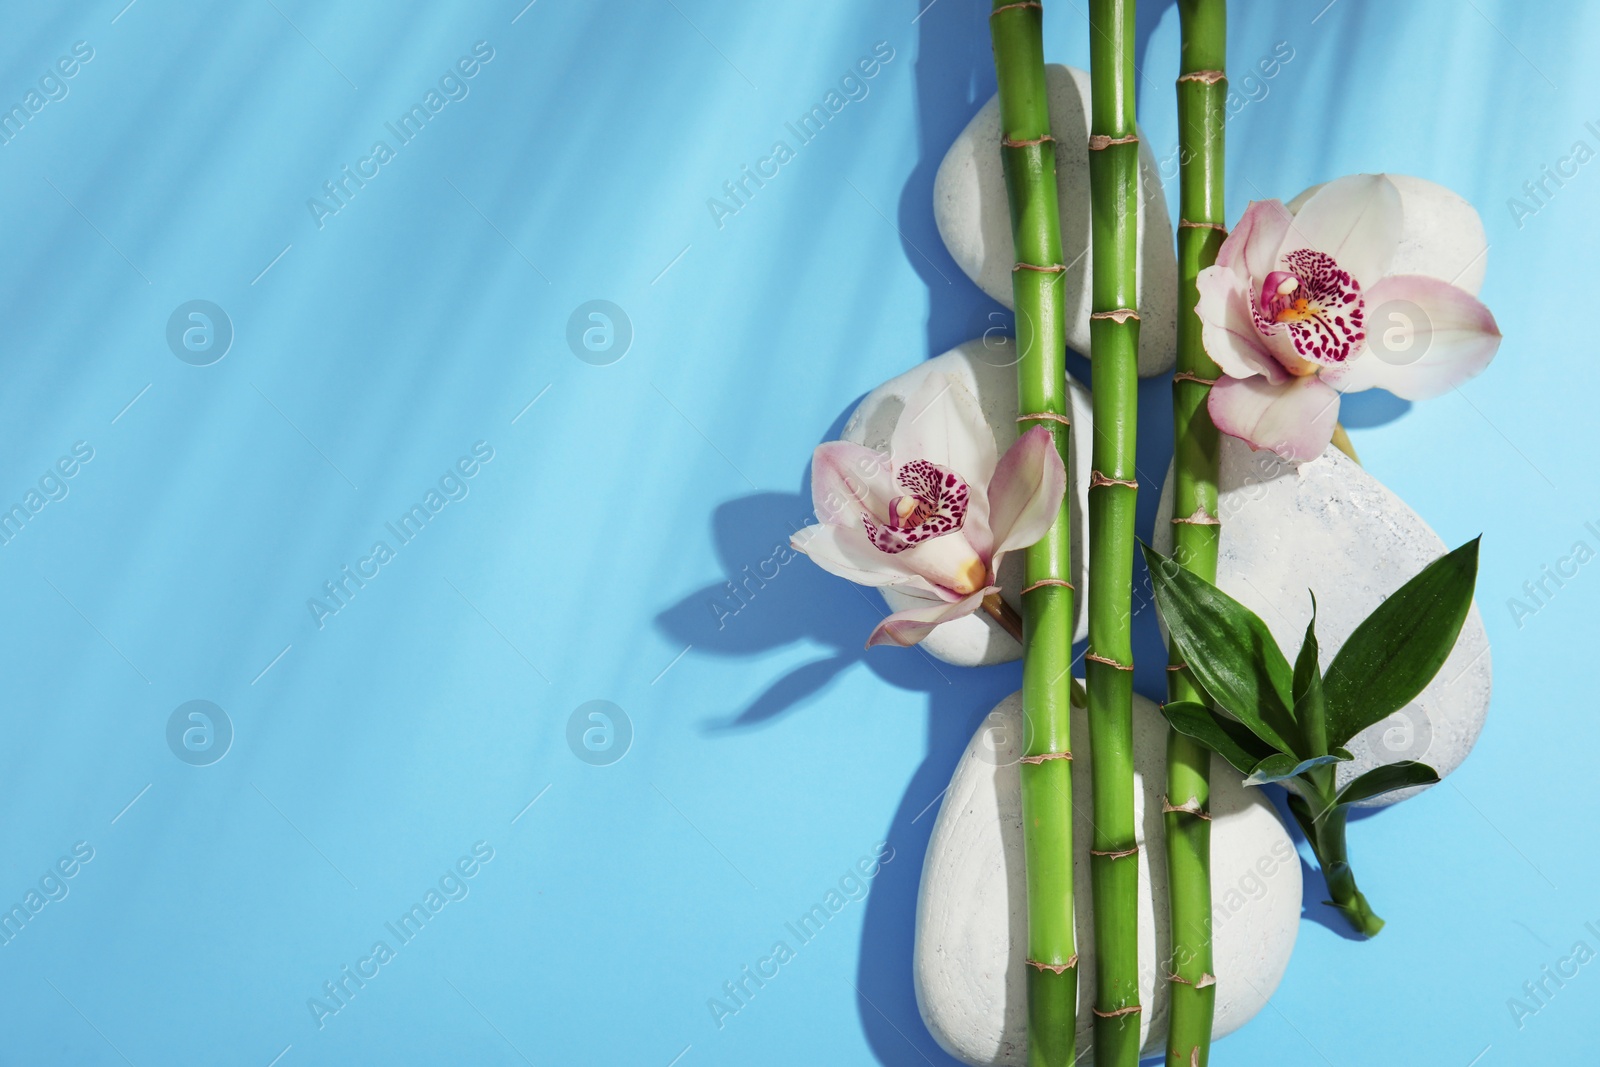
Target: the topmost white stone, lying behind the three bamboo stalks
pixel 975 222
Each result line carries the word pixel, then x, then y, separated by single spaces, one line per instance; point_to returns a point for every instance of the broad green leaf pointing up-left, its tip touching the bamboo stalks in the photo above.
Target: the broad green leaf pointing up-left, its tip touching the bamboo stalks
pixel 1230 650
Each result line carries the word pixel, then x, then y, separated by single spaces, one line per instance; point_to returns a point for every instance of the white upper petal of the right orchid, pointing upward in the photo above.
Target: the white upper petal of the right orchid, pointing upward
pixel 1358 222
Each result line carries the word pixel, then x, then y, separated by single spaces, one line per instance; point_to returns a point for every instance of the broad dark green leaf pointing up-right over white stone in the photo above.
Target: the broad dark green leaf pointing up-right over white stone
pixel 1401 647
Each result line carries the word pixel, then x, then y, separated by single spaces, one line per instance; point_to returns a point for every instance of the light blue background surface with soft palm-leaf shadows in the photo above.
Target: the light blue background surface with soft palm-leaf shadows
pixel 769 754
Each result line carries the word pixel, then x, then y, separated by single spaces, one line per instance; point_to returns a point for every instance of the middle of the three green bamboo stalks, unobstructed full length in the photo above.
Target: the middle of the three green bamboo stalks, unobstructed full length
pixel 1114 353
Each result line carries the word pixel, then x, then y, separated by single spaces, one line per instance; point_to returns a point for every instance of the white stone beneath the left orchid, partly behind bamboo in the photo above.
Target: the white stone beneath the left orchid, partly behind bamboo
pixel 988 369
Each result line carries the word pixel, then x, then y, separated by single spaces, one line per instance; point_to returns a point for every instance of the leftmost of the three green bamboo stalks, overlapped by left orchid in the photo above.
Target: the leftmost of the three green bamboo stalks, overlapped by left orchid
pixel 1030 156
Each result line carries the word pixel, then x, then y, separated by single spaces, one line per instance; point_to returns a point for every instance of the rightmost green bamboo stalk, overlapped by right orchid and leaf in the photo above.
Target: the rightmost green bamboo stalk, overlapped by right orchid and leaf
pixel 1202 92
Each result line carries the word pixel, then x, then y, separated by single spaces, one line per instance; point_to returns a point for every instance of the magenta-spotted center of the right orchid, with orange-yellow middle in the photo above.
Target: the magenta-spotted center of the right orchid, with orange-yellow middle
pixel 1321 308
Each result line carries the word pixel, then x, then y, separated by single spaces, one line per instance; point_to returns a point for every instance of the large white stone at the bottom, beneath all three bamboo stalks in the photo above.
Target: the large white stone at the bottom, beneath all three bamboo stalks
pixel 972 911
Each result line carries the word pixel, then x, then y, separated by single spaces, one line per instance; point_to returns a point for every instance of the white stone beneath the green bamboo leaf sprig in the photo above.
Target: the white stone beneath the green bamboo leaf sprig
pixel 1332 527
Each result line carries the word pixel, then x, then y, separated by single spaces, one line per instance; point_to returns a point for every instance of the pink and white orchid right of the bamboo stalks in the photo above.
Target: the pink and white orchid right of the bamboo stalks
pixel 1302 310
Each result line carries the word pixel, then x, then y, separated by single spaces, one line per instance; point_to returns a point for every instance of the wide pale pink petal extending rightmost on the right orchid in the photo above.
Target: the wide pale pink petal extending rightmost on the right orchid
pixel 1425 337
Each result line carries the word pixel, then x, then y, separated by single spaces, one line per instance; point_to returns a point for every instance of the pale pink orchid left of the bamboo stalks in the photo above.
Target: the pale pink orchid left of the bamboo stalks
pixel 935 516
